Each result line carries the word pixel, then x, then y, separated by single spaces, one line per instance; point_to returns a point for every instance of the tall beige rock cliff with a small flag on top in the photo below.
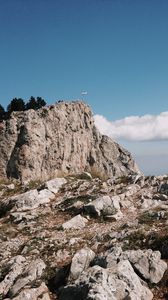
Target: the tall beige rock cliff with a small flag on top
pixel 58 140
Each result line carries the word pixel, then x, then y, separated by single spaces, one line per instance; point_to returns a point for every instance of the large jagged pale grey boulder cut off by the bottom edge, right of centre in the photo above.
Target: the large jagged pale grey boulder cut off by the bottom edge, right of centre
pixel 116 283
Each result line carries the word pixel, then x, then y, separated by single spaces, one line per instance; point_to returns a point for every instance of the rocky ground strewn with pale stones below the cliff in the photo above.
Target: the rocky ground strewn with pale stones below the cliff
pixel 84 238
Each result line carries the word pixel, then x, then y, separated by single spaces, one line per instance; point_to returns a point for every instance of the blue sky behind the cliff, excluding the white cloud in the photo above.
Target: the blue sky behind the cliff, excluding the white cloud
pixel 117 50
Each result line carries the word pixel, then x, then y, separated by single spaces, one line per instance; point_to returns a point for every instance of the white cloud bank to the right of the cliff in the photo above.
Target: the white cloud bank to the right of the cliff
pixel 135 128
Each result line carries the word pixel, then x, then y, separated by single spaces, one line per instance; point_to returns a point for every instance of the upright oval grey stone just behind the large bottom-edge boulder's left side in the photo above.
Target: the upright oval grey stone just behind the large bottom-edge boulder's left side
pixel 80 262
